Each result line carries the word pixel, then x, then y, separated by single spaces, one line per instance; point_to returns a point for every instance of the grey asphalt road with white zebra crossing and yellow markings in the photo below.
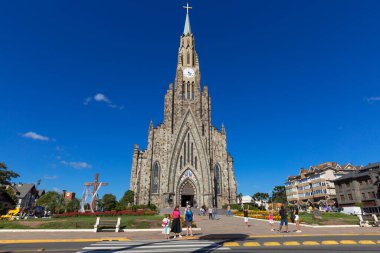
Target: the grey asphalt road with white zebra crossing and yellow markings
pixel 300 244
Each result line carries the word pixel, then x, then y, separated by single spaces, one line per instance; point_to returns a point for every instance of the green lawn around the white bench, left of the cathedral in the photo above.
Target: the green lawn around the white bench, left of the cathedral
pixel 82 222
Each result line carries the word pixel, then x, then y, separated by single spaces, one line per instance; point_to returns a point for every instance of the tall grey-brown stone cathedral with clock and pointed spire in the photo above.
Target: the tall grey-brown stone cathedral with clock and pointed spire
pixel 186 160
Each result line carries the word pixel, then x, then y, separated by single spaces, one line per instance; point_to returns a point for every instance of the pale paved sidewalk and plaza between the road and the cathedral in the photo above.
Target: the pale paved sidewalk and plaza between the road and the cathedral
pixel 224 227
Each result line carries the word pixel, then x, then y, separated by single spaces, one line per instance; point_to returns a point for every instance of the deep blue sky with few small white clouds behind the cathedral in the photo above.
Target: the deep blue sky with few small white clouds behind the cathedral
pixel 296 83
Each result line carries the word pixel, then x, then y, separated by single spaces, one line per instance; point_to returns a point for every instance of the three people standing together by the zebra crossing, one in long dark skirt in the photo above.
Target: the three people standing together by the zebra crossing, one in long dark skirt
pixel 174 225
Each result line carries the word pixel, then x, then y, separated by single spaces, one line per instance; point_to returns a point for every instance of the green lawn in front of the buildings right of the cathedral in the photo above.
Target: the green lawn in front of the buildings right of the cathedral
pixel 331 219
